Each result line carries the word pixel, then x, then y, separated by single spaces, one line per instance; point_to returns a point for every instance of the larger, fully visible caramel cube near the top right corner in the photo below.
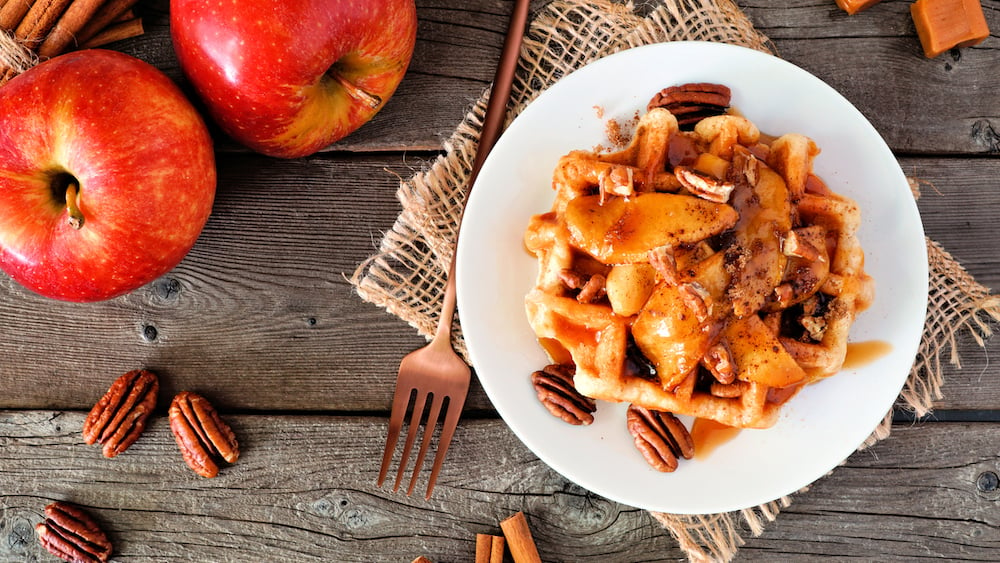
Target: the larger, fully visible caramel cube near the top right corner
pixel 945 24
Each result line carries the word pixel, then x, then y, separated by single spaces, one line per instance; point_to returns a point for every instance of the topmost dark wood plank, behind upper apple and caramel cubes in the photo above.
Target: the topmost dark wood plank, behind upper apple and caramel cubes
pixel 946 105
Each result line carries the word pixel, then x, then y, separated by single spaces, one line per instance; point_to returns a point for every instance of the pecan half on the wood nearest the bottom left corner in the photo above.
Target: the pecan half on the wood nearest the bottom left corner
pixel 71 534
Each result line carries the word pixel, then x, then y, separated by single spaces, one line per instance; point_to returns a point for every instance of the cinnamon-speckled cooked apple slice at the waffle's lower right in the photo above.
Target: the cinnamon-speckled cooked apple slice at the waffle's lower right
pixel 759 355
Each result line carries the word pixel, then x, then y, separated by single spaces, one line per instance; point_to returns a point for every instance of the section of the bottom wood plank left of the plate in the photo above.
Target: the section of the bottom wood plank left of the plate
pixel 303 490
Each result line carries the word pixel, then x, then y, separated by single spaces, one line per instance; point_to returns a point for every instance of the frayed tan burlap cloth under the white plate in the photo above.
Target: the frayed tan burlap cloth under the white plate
pixel 406 277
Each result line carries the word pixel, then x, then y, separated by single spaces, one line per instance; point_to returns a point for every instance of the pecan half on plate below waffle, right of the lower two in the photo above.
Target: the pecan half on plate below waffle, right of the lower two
pixel 660 437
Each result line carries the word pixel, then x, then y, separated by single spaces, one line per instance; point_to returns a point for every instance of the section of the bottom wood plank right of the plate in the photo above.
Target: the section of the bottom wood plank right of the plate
pixel 869 508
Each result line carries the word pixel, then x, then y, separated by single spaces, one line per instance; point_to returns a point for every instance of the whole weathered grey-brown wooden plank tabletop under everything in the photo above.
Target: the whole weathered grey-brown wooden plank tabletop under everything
pixel 260 318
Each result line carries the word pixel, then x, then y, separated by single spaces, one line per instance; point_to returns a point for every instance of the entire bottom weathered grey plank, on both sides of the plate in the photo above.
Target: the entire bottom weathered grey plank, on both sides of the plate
pixel 304 489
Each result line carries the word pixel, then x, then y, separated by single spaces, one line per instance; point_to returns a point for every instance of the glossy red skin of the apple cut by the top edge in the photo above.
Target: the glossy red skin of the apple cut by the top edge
pixel 261 66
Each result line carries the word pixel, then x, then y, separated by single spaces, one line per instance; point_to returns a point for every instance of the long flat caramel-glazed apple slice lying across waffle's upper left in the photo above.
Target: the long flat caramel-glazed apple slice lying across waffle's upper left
pixel 625 230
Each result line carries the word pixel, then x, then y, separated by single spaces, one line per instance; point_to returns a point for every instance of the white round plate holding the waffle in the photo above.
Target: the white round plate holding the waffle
pixel 826 421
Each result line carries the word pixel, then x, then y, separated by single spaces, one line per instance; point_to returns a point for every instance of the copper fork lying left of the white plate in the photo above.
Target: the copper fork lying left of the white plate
pixel 435 373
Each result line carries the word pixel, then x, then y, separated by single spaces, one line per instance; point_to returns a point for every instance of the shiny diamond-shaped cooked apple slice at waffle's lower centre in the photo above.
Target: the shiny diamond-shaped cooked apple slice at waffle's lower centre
pixel 672 333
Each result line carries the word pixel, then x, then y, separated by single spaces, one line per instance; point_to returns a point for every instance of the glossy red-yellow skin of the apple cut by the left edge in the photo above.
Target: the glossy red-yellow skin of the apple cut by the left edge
pixel 143 160
